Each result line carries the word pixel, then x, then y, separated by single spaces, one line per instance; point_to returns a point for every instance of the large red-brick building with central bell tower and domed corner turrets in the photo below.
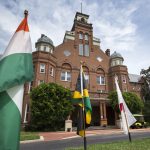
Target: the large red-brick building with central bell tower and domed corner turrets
pixel 61 65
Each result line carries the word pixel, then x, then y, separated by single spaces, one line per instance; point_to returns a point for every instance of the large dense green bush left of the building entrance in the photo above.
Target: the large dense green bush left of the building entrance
pixel 50 107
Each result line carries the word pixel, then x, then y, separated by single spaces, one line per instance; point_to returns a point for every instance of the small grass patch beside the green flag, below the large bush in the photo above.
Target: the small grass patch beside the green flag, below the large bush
pixel 29 136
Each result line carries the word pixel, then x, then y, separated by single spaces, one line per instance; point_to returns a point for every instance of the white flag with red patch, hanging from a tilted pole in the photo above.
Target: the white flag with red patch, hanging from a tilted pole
pixel 126 116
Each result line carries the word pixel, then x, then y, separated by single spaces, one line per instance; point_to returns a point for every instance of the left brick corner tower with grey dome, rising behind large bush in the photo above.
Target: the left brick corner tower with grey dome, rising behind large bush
pixel 44 63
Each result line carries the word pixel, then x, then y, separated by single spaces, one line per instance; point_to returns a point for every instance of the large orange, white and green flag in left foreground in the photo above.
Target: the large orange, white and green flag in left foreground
pixel 16 68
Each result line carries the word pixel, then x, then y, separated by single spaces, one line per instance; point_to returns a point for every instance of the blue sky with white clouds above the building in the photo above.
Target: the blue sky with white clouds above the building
pixel 122 25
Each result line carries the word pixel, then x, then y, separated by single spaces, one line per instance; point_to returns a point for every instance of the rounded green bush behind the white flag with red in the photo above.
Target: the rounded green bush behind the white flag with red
pixel 134 103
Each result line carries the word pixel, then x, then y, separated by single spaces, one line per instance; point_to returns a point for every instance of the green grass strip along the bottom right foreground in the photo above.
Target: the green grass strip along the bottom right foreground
pixel 142 144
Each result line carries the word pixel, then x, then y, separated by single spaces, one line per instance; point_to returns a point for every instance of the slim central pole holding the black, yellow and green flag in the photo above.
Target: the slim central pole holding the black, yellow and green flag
pixel 85 145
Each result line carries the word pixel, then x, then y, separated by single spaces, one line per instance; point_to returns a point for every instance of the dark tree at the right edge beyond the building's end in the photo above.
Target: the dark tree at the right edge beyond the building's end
pixel 146 92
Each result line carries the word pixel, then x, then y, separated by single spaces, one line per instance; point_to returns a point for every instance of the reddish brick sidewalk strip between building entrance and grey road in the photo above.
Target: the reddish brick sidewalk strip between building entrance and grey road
pixel 51 136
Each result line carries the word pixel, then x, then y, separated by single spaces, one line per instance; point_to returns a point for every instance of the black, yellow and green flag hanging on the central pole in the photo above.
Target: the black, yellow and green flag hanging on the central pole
pixel 82 92
